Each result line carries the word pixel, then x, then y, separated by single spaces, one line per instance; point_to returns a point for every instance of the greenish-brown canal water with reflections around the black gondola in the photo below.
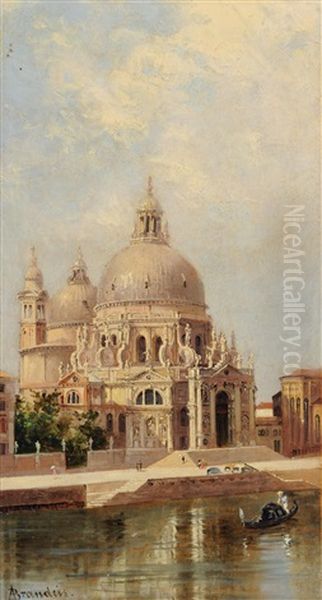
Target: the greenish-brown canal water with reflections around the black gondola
pixel 187 550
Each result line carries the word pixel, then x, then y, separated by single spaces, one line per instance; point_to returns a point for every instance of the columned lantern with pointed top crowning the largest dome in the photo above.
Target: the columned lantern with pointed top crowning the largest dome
pixel 150 224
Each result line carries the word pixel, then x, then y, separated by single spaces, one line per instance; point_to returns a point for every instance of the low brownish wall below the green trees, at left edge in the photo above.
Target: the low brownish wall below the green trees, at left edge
pixel 23 464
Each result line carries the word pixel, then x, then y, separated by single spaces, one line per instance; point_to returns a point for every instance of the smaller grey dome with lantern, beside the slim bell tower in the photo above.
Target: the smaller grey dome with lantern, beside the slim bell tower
pixel 75 302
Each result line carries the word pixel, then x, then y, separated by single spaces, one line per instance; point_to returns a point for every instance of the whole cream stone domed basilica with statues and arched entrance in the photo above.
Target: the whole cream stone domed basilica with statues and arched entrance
pixel 141 349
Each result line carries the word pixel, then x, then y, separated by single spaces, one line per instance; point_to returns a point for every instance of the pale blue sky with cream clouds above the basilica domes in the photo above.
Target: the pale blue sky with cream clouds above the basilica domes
pixel 217 101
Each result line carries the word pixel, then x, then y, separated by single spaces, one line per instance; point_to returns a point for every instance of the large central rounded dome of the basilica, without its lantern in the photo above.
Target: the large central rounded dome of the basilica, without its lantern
pixel 150 272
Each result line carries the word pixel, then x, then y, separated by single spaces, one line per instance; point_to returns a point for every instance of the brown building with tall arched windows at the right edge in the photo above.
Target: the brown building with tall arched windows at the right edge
pixel 299 406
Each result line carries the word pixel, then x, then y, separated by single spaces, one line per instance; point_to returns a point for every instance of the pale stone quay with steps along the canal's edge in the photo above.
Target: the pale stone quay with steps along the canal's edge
pixel 168 479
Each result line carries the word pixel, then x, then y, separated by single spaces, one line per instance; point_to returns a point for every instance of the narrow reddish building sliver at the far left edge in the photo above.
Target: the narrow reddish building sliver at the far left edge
pixel 7 412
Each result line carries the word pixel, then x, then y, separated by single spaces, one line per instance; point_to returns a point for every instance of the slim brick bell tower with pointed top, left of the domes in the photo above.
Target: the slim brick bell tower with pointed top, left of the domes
pixel 33 301
